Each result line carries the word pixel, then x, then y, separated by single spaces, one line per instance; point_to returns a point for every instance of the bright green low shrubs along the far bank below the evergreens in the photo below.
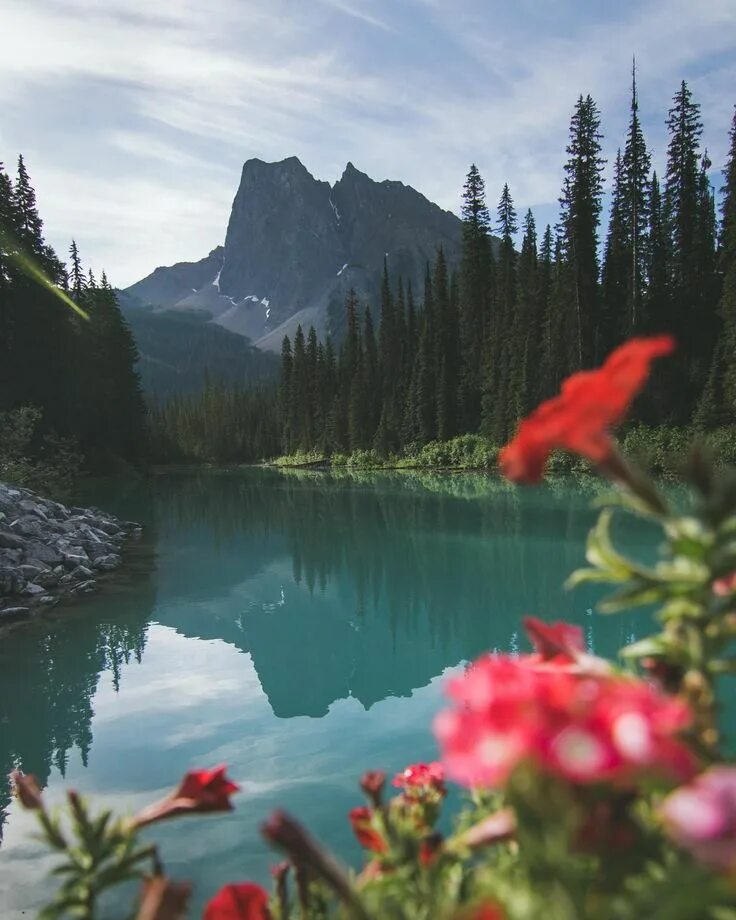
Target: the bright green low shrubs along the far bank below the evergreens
pixel 661 450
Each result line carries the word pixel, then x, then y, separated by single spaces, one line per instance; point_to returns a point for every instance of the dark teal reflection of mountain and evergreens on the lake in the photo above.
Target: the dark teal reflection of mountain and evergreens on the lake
pixel 336 587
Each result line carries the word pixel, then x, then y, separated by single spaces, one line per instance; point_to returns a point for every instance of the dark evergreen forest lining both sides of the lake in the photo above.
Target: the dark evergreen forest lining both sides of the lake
pixel 480 345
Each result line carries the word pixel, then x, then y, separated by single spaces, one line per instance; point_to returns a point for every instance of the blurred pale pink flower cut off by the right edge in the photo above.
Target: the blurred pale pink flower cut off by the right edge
pixel 701 817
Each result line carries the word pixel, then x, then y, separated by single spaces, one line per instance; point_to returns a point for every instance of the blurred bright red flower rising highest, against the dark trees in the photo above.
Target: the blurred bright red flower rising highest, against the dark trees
pixel 580 418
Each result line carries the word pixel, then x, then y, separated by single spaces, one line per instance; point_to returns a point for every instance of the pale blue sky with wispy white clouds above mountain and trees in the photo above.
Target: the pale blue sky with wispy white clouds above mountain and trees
pixel 135 117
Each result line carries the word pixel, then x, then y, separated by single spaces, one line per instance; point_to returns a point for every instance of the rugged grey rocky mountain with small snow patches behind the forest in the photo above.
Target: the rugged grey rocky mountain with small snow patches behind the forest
pixel 295 245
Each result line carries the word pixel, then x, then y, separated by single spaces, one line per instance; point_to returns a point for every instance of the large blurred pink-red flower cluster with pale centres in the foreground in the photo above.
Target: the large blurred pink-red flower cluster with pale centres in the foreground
pixel 584 727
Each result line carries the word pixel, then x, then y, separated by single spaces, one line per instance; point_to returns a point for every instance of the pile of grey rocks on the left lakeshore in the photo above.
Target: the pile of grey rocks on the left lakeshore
pixel 49 551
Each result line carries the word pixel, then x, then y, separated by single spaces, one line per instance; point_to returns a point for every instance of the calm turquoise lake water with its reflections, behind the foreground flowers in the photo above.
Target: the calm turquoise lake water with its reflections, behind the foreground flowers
pixel 295 626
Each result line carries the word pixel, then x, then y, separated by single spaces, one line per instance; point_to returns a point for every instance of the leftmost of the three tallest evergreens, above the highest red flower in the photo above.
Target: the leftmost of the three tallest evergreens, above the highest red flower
pixel 581 209
